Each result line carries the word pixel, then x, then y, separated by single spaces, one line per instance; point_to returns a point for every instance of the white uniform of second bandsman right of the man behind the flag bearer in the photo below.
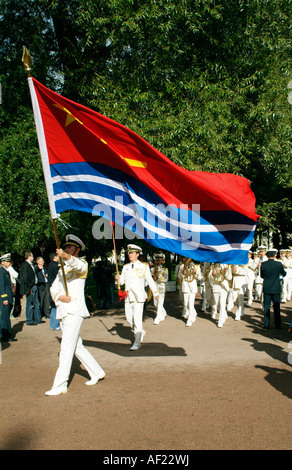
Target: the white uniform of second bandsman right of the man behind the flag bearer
pixel 189 289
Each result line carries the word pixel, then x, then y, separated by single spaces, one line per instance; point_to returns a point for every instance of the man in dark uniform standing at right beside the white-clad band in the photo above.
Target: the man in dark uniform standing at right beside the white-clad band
pixel 270 271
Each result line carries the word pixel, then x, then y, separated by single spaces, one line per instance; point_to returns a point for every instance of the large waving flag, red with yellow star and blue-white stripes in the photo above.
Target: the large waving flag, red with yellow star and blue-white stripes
pixel 89 158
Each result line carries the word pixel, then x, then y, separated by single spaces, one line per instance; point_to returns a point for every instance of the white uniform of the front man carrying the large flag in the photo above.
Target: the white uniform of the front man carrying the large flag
pixel 72 315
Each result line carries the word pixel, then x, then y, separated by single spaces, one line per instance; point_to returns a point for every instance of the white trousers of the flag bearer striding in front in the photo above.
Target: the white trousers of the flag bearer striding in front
pixel 72 344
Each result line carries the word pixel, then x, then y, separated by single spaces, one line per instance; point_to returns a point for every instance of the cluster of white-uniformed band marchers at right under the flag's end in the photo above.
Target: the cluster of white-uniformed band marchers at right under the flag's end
pixel 224 287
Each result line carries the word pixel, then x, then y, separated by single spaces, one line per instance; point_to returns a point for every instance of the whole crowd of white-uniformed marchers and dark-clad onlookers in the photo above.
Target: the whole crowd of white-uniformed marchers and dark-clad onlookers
pixel 60 294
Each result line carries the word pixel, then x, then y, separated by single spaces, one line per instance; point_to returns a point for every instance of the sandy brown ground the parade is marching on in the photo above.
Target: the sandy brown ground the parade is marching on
pixel 193 388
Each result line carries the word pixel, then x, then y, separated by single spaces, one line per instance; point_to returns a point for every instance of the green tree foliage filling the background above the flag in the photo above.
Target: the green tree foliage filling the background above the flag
pixel 204 82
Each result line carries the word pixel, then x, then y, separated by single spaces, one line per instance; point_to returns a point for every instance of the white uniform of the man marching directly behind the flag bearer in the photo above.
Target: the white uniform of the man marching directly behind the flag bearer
pixel 133 276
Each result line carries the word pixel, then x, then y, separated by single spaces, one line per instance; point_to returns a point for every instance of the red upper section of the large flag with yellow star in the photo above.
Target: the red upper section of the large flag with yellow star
pixel 75 133
